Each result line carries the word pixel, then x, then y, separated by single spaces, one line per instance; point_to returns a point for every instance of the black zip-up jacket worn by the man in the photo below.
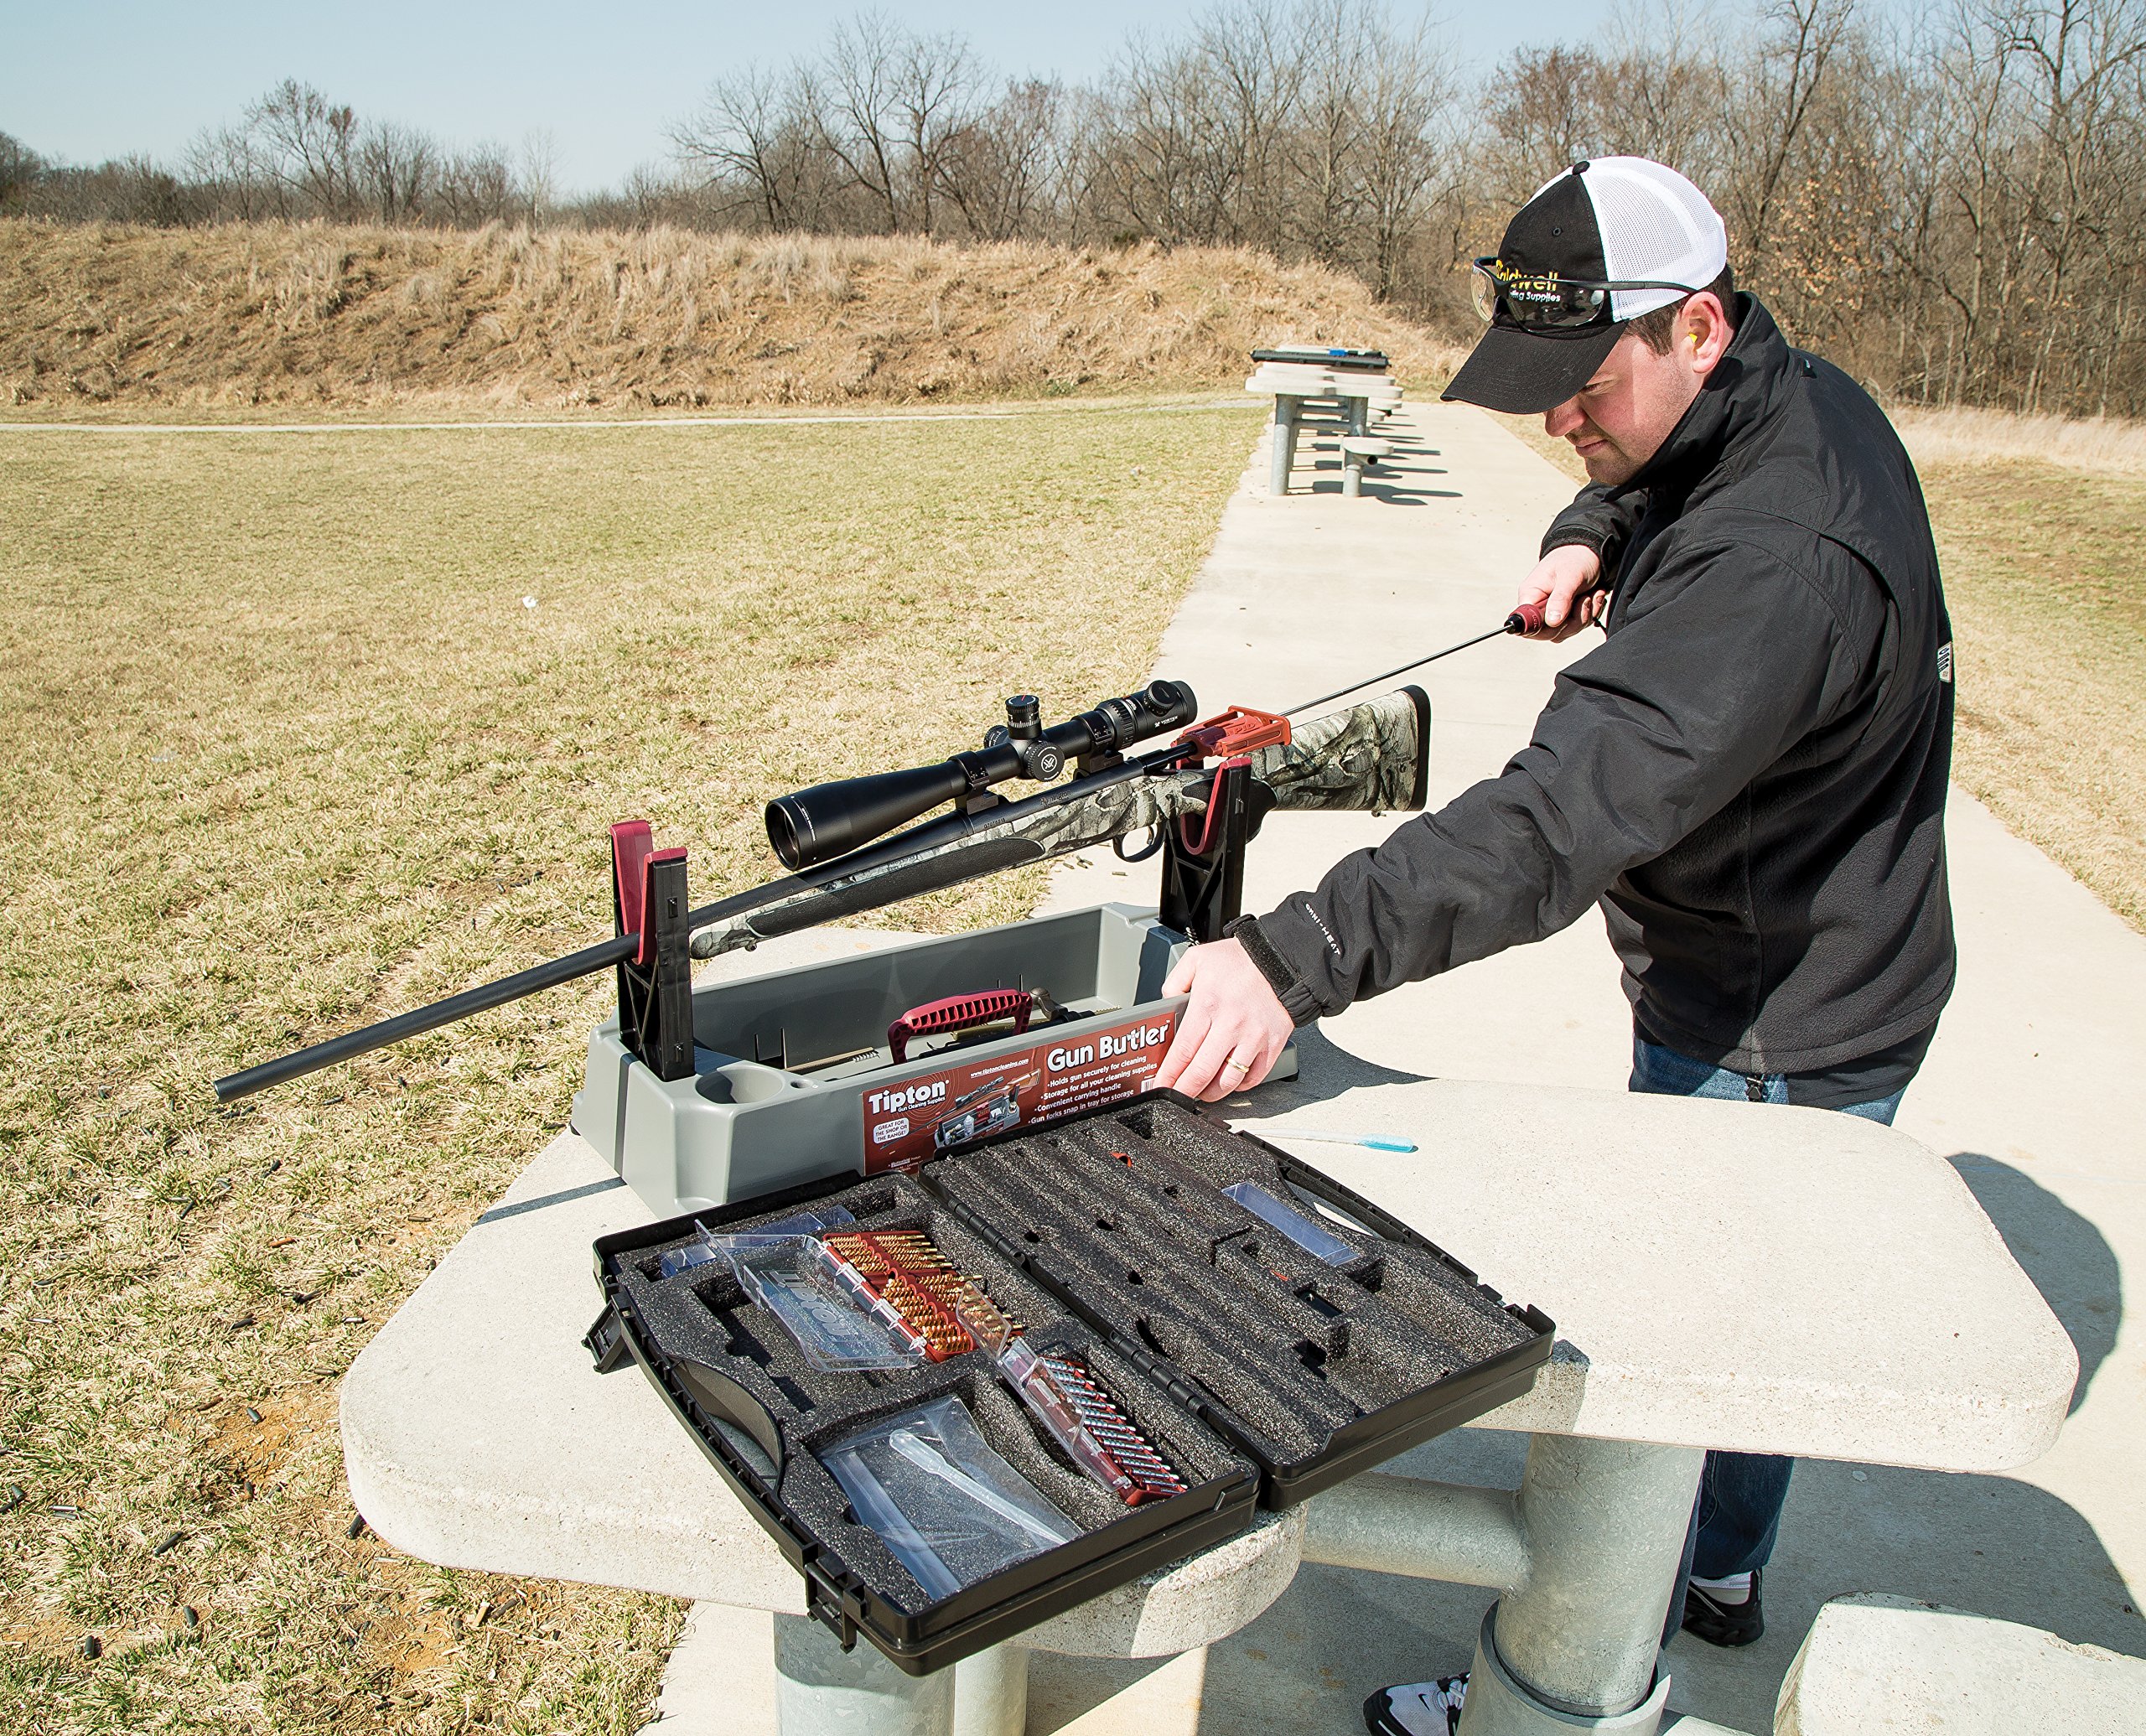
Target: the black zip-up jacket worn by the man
pixel 1750 776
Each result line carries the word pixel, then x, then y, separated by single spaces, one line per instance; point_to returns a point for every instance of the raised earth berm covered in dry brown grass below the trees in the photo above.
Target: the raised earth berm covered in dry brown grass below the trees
pixel 319 319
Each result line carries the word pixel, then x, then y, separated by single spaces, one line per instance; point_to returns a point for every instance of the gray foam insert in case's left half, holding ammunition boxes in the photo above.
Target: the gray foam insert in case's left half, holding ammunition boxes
pixel 705 1316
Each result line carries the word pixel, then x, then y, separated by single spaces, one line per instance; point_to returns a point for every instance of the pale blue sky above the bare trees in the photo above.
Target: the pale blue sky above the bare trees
pixel 93 80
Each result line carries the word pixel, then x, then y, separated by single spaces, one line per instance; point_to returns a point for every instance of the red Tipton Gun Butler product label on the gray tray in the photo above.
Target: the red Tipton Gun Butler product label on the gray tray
pixel 1074 1068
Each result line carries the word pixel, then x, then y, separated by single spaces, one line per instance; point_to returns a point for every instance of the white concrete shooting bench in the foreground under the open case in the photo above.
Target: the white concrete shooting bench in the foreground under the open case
pixel 1881 1321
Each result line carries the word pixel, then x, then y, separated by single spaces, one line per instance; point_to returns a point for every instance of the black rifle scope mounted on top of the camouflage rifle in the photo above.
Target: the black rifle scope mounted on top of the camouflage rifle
pixel 836 819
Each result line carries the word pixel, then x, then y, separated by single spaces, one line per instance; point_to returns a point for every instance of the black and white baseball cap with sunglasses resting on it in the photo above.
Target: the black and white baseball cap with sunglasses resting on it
pixel 1589 254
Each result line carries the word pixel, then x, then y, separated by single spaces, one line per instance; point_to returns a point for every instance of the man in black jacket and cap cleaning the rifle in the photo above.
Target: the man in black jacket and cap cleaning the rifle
pixel 1748 776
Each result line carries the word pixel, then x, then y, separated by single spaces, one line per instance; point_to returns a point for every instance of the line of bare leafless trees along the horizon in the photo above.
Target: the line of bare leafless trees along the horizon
pixel 1950 207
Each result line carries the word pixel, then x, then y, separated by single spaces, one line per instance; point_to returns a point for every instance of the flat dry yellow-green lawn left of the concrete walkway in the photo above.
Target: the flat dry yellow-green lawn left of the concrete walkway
pixel 304 731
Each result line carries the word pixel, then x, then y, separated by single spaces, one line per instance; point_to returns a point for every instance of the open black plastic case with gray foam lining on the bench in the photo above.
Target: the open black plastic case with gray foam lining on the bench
pixel 1269 1329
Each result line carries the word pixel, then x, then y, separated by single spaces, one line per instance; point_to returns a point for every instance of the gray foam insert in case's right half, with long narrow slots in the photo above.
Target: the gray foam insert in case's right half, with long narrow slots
pixel 1123 1211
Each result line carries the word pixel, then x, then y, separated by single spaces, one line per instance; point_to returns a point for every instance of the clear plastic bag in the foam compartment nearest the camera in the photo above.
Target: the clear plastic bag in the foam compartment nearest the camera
pixel 937 1495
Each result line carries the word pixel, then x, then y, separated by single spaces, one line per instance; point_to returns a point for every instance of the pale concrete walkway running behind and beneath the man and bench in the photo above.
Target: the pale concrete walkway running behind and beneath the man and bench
pixel 2033 1089
